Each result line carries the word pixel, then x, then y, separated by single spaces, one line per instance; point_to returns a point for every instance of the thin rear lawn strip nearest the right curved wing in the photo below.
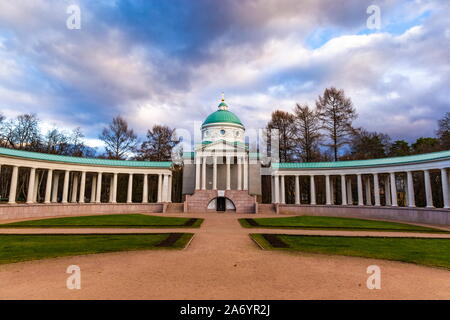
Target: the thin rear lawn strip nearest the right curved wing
pixel 333 223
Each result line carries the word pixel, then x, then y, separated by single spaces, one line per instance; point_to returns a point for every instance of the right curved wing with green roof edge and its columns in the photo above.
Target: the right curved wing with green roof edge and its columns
pixel 376 180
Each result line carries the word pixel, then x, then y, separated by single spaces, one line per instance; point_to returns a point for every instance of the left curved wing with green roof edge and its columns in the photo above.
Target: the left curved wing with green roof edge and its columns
pixel 66 179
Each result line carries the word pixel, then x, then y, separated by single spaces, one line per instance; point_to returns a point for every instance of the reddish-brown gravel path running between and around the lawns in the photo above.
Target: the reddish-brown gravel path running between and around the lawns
pixel 221 263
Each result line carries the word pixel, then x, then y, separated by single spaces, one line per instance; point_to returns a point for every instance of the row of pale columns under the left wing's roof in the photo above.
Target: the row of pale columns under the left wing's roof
pixel 79 183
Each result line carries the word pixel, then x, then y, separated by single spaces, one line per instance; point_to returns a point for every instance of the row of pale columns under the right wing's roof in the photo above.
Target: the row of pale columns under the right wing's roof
pixel 366 184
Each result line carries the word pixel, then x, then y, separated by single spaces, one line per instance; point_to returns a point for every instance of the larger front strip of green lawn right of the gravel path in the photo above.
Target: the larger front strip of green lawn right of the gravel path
pixel 429 252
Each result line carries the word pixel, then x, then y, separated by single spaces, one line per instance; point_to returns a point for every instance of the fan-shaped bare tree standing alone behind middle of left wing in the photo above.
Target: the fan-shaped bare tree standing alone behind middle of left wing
pixel 119 139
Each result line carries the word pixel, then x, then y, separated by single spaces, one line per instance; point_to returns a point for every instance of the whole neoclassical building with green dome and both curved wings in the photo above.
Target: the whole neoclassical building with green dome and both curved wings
pixel 221 174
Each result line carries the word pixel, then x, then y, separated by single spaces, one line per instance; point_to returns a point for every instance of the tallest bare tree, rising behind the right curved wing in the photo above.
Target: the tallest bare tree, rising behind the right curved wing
pixel 336 113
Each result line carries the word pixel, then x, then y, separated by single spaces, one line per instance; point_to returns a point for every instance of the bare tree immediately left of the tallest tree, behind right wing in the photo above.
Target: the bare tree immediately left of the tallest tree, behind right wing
pixel 308 132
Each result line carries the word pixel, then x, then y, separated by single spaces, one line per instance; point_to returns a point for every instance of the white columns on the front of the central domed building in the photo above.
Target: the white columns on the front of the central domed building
pixel 217 159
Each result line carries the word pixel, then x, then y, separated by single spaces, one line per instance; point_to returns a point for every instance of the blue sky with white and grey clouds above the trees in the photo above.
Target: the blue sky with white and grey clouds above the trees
pixel 167 62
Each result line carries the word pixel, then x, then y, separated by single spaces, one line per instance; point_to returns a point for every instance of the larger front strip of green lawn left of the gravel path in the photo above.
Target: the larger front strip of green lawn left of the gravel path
pixel 21 247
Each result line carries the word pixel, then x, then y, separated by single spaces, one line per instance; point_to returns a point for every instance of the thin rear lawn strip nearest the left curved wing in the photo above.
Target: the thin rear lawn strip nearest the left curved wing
pixel 109 221
